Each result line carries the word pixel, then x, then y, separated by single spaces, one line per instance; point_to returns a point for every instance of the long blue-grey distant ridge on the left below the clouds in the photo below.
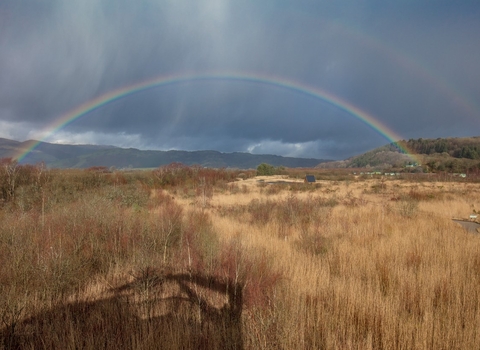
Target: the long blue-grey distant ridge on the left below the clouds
pixel 85 156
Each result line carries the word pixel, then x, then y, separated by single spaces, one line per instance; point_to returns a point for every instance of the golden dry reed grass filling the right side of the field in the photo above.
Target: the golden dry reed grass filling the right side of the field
pixel 394 271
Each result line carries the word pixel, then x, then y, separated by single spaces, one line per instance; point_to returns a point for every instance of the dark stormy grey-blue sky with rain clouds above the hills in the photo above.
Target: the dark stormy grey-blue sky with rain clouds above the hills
pixel 411 66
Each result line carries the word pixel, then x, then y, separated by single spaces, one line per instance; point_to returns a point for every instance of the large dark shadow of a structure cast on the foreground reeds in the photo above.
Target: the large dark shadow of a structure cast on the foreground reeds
pixel 155 311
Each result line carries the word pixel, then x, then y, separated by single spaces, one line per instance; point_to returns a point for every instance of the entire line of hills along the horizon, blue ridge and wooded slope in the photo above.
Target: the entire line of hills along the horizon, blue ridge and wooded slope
pixel 454 154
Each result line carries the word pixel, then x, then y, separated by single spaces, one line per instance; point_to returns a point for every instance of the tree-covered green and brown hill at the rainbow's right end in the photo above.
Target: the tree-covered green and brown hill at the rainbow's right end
pixel 447 154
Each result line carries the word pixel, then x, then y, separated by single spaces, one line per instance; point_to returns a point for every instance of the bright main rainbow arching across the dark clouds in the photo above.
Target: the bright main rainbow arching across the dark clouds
pixel 120 93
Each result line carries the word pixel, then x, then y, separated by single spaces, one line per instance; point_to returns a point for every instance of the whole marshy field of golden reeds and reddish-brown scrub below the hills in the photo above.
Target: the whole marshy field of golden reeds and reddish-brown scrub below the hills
pixel 191 258
